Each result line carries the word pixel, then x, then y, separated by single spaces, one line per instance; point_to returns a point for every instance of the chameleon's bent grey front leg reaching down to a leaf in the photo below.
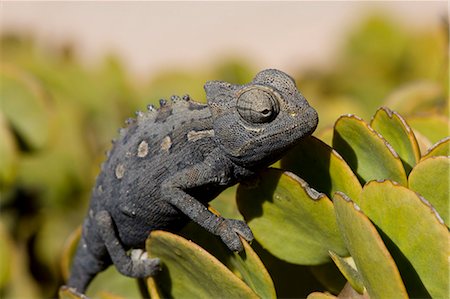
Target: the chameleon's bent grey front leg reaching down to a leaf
pixel 227 229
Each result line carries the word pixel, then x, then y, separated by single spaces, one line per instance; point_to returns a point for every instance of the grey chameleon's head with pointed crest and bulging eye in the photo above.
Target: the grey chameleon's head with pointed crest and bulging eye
pixel 255 123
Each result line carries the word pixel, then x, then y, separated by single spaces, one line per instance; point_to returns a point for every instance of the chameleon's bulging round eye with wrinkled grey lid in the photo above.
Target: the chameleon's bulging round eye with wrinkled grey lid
pixel 258 105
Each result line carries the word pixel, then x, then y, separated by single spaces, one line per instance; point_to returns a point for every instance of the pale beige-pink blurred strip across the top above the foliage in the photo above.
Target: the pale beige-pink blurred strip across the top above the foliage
pixel 151 36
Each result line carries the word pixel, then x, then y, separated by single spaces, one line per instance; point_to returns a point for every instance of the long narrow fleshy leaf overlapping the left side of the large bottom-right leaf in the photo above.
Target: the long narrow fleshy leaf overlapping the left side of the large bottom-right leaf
pixel 375 265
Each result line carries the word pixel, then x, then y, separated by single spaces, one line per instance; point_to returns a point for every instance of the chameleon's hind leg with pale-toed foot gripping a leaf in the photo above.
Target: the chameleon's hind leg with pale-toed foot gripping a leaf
pixel 136 265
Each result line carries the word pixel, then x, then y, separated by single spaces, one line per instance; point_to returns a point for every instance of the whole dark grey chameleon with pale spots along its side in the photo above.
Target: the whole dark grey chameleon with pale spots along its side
pixel 169 162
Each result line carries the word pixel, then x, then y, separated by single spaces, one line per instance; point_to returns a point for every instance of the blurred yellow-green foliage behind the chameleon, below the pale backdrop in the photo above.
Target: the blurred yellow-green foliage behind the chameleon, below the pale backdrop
pixel 58 116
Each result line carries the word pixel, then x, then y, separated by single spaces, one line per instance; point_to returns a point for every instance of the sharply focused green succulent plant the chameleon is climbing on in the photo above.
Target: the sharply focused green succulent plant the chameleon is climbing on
pixel 368 217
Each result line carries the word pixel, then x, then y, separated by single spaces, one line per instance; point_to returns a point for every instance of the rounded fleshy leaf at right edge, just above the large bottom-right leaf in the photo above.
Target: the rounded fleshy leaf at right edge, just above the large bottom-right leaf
pixel 430 178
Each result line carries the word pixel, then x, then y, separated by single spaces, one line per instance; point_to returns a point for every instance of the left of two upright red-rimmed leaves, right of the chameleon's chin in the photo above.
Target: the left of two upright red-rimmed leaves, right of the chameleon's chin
pixel 369 155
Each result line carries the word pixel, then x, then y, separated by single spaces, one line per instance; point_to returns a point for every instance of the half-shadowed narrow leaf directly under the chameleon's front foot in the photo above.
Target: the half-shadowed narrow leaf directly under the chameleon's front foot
pixel 245 265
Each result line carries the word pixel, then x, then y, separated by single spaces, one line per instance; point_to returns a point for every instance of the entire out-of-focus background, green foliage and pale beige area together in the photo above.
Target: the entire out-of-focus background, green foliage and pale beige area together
pixel 72 72
